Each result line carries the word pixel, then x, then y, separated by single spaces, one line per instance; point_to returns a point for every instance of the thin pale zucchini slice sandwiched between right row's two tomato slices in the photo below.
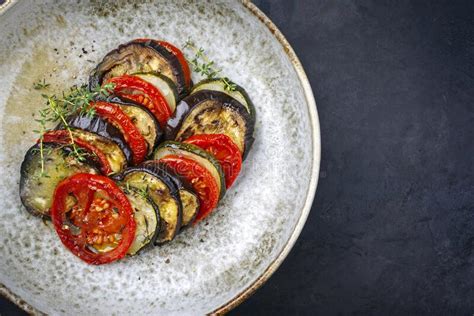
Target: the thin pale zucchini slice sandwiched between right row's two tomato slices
pixel 197 154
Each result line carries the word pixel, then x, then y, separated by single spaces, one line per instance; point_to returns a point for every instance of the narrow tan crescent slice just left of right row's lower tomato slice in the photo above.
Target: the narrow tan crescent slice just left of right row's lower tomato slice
pixel 189 198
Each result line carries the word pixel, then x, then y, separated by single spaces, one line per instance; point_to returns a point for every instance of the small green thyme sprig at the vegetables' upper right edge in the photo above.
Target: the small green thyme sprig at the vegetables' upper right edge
pixel 204 66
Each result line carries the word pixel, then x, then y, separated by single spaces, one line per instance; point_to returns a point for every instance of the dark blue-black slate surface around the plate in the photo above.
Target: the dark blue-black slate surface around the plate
pixel 392 227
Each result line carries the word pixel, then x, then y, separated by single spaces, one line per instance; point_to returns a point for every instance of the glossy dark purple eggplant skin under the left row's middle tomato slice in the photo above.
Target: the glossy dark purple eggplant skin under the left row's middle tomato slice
pixel 99 126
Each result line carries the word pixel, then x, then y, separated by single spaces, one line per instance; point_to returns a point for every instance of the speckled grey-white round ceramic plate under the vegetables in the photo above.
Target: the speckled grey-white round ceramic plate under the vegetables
pixel 219 262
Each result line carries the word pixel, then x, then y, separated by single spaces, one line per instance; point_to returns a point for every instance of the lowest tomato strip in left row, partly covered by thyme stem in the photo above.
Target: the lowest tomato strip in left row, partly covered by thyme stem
pixel 63 137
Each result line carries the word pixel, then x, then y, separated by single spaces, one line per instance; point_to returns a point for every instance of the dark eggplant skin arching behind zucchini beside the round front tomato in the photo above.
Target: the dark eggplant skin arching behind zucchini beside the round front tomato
pixel 154 169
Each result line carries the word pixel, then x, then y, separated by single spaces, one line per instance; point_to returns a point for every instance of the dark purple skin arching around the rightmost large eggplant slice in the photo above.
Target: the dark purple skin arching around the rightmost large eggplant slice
pixel 188 104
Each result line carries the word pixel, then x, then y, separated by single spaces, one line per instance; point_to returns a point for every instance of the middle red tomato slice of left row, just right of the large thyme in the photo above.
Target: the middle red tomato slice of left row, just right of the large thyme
pixel 136 141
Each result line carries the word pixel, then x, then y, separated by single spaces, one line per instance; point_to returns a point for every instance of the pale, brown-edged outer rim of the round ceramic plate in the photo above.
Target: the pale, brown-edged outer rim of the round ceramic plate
pixel 310 193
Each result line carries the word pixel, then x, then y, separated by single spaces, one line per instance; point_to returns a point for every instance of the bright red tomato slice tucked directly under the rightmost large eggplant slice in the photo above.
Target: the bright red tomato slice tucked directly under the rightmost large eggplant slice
pixel 225 151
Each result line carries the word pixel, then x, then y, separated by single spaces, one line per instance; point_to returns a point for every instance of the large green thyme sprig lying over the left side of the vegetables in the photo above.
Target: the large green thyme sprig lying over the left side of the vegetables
pixel 57 109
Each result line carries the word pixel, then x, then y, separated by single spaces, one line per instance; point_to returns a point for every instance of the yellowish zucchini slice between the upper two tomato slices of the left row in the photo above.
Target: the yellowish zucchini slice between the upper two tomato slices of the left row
pixel 143 120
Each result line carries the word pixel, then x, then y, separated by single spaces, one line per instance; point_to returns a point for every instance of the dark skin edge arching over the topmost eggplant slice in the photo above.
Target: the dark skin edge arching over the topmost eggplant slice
pixel 118 54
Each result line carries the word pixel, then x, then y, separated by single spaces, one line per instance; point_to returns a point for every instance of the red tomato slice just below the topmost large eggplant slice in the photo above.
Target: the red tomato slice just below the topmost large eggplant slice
pixel 138 90
